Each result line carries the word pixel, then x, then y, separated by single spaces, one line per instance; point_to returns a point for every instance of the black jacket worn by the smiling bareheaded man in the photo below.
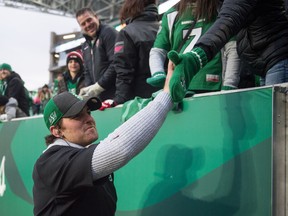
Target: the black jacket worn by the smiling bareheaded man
pixel 98 57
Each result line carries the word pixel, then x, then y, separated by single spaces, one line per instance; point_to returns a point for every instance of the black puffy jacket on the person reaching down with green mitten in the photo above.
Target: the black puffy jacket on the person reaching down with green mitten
pixel 261 28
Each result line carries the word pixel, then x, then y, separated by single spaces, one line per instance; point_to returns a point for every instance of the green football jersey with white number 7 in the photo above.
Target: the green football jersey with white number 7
pixel 170 36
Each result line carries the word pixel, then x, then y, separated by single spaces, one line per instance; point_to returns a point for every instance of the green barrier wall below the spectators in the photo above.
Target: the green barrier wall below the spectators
pixel 213 159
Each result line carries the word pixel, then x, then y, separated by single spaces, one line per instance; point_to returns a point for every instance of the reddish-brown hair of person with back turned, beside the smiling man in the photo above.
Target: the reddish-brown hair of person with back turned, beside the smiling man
pixel 133 8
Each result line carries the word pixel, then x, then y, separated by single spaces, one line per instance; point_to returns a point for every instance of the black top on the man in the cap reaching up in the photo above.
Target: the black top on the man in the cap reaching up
pixel 63 184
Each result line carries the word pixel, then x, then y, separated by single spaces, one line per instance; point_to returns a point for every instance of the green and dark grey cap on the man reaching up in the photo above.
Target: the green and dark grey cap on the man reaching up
pixel 65 105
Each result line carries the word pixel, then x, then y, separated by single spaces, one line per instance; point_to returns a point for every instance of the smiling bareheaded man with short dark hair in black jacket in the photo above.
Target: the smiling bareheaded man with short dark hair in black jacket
pixel 98 49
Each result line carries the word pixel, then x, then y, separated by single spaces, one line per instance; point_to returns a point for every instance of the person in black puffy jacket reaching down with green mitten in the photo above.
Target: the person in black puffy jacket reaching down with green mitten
pixel 262 37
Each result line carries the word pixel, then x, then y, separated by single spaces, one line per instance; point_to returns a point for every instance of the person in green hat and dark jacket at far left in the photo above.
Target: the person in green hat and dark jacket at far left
pixel 14 87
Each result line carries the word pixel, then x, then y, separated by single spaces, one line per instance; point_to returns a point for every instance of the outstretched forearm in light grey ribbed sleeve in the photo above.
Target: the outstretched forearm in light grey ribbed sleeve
pixel 131 137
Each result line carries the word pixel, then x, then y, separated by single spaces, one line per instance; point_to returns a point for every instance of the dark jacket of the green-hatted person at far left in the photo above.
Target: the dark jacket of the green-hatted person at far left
pixel 15 88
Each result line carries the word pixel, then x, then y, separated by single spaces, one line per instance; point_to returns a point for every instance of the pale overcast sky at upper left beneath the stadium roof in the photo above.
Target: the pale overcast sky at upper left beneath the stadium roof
pixel 25 42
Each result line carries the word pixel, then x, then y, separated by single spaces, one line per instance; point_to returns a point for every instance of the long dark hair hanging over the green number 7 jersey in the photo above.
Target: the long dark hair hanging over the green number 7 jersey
pixel 204 9
